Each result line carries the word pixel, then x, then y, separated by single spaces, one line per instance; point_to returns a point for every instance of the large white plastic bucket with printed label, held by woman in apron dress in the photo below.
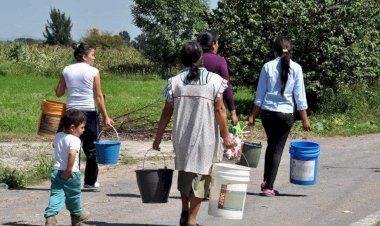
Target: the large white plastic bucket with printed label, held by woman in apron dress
pixel 228 190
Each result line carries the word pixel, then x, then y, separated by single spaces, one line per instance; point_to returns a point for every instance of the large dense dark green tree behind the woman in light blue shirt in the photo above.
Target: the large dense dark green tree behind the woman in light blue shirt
pixel 335 41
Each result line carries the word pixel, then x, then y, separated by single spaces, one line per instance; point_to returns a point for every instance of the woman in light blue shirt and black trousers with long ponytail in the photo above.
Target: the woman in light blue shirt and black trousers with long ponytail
pixel 280 88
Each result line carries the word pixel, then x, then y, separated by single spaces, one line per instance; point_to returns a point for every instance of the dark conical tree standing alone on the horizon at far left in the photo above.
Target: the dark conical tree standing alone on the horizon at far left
pixel 58 30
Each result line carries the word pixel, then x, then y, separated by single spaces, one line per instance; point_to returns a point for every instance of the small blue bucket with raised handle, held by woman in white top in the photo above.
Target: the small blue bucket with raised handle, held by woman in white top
pixel 107 151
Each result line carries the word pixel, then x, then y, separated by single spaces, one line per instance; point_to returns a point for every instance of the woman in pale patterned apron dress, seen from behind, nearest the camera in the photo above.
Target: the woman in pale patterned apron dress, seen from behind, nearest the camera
pixel 195 97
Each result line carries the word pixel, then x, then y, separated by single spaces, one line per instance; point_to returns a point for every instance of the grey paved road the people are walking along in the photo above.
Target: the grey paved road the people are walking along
pixel 347 190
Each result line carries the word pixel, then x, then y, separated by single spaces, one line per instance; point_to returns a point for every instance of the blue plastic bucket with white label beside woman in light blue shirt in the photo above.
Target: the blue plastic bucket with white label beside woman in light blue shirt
pixel 303 162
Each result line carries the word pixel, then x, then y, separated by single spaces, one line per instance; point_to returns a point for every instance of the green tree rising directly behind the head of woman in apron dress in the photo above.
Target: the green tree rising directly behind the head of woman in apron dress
pixel 167 24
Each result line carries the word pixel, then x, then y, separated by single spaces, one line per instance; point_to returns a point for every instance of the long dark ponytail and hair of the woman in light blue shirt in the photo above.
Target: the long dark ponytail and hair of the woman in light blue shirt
pixel 283 47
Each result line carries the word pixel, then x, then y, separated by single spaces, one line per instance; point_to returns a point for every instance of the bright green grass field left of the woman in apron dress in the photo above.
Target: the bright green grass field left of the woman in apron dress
pixel 22 96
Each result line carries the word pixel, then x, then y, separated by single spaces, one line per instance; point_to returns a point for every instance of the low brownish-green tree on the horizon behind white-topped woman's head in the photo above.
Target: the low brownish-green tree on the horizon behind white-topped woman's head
pixel 103 40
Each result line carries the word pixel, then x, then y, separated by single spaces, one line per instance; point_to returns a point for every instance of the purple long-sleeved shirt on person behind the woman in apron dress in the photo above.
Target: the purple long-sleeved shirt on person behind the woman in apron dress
pixel 218 65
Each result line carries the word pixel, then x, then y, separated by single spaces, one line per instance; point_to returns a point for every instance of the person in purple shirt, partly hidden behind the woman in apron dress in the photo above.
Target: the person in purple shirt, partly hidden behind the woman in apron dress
pixel 217 64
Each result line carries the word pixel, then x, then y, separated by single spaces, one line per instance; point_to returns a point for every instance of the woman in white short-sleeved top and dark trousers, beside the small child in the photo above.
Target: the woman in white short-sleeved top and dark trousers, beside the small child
pixel 84 93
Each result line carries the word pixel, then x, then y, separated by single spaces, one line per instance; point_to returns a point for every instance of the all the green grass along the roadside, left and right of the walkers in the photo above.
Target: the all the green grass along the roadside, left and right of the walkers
pixel 22 96
